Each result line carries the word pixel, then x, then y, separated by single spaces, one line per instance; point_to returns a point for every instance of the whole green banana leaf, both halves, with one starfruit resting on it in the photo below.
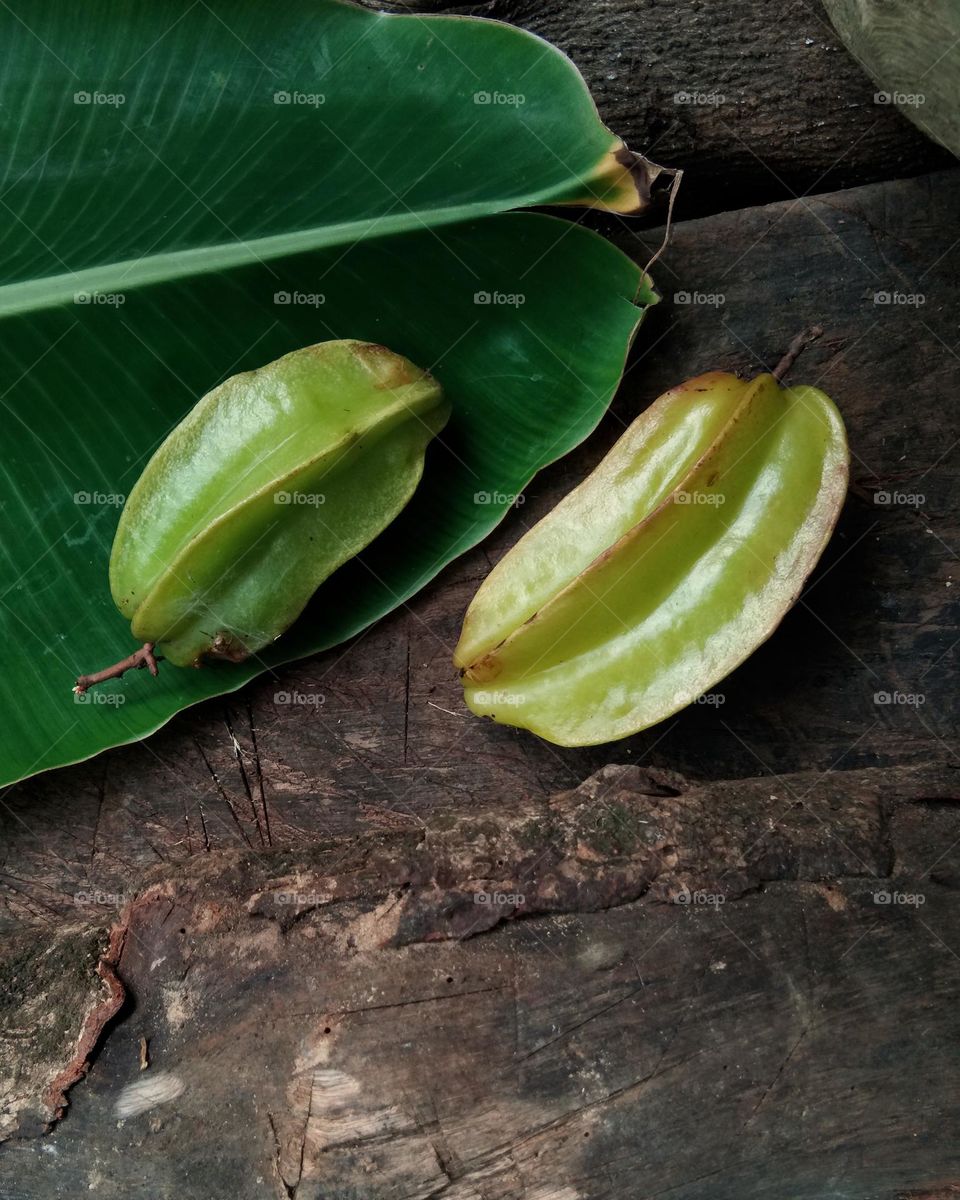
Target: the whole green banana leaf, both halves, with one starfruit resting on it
pixel 195 189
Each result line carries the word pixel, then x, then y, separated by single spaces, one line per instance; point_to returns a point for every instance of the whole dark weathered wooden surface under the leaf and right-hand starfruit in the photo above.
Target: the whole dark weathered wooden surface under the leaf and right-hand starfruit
pixel 705 998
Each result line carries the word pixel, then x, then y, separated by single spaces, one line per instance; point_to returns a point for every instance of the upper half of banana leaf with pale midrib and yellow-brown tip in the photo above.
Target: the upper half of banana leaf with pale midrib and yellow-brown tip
pixel 152 140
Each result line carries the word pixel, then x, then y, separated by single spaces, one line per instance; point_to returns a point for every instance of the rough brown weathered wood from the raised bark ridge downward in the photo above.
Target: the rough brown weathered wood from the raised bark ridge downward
pixel 740 985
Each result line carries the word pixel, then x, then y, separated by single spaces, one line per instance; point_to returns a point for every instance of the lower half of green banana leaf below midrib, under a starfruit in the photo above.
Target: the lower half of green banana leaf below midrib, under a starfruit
pixel 92 389
